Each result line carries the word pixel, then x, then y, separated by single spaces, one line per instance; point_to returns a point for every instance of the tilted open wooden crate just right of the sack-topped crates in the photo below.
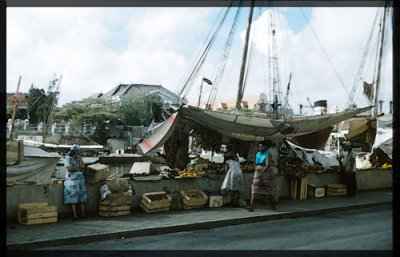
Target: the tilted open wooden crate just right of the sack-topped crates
pixel 156 202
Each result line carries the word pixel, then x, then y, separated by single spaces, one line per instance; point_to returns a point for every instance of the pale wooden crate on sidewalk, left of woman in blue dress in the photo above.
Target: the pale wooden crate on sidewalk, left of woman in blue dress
pixel 37 213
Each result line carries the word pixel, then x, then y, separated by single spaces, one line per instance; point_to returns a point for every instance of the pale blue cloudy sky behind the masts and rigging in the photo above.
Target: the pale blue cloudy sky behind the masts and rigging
pixel 96 49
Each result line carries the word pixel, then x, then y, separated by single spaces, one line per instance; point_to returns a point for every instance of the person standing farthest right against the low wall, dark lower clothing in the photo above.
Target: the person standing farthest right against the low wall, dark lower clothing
pixel 347 163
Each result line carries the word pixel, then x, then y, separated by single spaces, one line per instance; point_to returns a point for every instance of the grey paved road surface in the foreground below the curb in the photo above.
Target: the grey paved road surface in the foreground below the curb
pixel 366 229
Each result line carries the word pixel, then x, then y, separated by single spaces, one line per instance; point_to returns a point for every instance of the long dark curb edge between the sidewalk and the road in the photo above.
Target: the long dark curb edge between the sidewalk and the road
pixel 187 227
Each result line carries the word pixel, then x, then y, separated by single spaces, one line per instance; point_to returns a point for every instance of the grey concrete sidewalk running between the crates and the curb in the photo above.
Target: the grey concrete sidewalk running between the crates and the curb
pixel 96 228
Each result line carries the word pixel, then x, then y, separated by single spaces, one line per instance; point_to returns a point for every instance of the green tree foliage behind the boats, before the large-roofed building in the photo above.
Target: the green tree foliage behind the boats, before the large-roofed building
pixel 103 114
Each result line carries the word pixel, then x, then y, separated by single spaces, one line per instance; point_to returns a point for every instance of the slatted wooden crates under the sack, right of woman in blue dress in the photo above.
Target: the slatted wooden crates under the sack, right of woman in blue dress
pixel 115 205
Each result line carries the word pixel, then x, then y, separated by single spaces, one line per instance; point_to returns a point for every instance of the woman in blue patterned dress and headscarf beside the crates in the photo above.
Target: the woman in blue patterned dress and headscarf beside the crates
pixel 75 191
